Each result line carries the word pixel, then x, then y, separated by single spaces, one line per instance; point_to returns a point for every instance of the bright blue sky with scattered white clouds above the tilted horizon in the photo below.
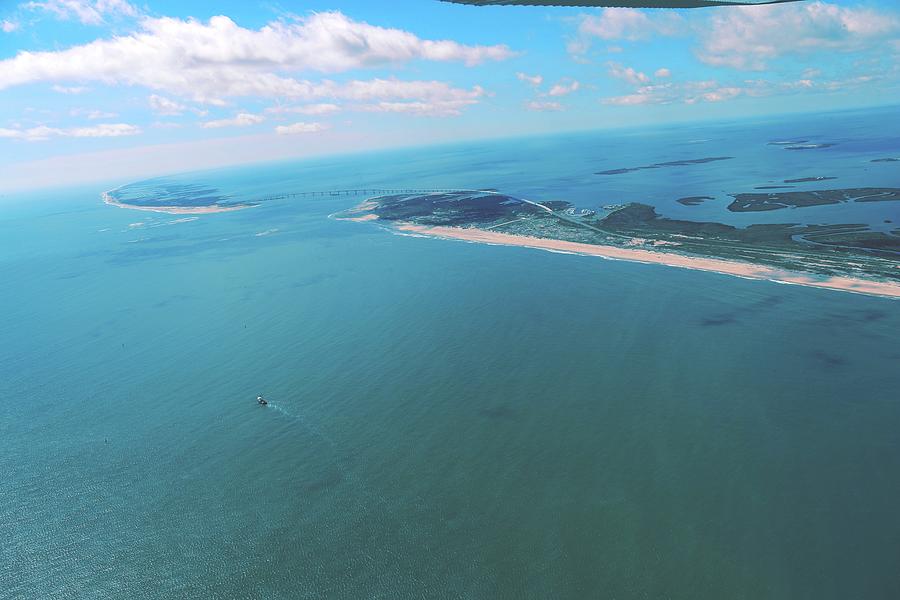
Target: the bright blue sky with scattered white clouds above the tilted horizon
pixel 98 90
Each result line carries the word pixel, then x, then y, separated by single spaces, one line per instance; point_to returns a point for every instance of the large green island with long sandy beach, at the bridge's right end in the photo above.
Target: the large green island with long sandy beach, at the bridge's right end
pixel 847 257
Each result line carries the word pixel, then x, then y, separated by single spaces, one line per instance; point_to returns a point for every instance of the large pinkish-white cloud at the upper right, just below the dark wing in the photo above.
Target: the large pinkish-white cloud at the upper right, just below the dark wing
pixel 748 37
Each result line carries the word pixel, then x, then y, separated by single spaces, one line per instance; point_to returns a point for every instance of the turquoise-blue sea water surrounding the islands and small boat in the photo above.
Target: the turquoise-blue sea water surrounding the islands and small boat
pixel 446 420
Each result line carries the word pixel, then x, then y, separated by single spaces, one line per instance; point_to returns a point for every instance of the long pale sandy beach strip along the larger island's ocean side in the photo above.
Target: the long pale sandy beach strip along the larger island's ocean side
pixel 869 287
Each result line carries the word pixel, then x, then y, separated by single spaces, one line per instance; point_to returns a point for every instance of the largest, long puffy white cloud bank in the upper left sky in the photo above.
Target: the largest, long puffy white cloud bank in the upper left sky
pixel 219 59
